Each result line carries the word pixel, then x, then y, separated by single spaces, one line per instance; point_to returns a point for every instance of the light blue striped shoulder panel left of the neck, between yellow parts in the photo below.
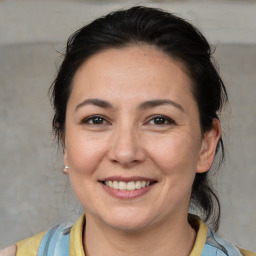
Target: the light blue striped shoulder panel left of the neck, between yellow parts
pixel 55 242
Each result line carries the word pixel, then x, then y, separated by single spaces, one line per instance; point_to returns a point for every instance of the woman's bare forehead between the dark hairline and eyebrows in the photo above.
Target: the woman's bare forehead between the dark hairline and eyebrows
pixel 133 70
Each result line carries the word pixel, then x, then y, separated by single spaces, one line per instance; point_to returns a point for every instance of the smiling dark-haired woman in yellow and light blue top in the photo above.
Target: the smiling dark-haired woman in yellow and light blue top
pixel 136 101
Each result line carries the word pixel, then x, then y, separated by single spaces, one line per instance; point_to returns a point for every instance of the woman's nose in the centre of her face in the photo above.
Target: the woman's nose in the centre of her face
pixel 126 148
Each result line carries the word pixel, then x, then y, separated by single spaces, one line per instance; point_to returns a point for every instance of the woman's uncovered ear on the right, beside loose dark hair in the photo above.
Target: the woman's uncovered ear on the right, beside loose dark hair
pixel 208 147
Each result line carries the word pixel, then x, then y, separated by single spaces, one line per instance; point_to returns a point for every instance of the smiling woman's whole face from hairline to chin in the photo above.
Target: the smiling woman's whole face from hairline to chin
pixel 132 138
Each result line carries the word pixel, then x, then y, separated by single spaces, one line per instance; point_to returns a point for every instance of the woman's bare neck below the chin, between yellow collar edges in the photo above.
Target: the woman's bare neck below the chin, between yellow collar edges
pixel 166 239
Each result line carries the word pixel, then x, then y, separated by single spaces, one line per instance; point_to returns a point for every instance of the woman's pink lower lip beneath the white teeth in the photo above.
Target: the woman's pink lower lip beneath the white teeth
pixel 127 194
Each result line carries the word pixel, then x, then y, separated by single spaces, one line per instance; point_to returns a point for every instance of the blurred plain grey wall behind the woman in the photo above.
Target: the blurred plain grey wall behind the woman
pixel 33 192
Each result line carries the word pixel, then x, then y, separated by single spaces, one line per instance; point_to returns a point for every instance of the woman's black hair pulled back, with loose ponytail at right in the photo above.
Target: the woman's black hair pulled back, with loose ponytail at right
pixel 176 38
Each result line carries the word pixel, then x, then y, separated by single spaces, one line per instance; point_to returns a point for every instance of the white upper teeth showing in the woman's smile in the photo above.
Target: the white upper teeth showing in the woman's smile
pixel 131 185
